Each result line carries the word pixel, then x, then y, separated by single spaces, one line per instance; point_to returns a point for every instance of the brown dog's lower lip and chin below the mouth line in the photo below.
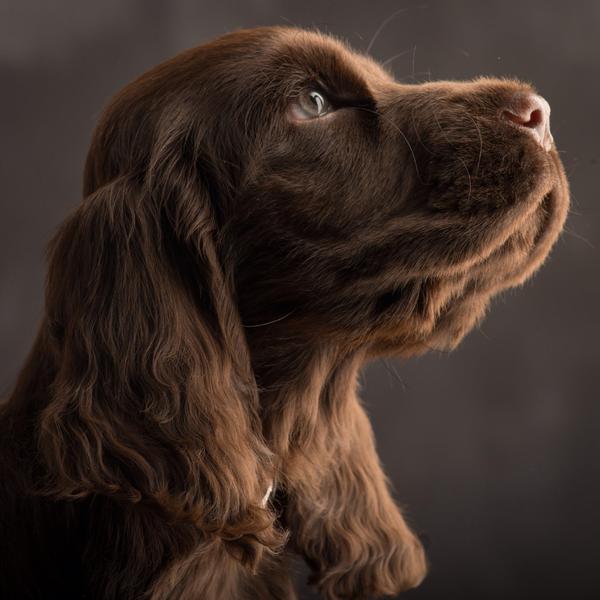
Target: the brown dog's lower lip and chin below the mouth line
pixel 453 314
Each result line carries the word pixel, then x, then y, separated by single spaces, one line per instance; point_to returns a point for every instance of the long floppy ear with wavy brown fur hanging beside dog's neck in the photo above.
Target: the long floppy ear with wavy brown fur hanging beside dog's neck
pixel 154 399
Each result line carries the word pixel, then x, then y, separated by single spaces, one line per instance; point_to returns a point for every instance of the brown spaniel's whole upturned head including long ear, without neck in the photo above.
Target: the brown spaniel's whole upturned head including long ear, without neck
pixel 273 187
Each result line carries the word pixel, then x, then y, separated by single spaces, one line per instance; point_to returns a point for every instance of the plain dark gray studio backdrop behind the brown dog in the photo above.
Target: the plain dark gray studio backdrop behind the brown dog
pixel 492 449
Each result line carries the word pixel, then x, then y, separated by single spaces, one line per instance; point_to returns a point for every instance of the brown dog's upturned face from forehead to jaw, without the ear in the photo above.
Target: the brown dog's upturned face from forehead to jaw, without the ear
pixel 357 208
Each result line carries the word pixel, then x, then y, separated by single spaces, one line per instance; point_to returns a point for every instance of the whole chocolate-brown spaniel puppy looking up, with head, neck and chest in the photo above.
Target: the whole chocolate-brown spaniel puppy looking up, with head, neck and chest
pixel 261 215
